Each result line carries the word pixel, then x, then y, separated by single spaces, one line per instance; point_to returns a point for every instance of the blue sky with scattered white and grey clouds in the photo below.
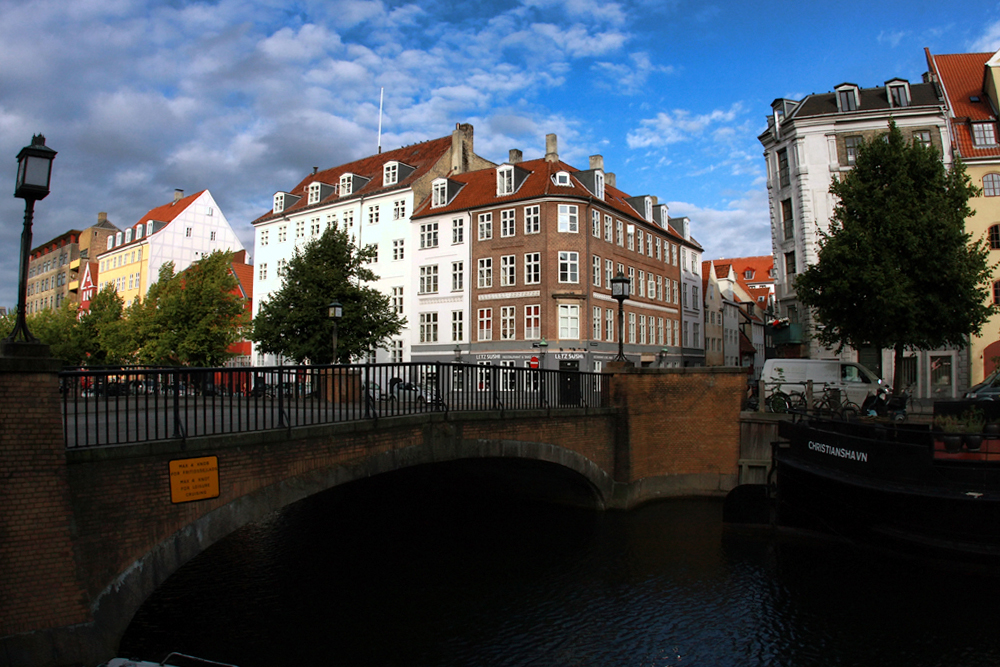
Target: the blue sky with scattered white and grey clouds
pixel 245 97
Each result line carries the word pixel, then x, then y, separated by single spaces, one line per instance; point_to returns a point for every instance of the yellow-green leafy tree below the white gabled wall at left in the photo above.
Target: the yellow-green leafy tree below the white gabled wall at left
pixel 190 318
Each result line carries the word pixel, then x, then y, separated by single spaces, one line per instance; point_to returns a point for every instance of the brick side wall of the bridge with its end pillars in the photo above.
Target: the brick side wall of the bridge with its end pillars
pixel 91 533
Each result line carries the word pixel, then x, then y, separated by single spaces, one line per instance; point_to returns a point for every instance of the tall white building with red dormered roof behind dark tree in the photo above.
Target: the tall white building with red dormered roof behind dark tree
pixel 372 199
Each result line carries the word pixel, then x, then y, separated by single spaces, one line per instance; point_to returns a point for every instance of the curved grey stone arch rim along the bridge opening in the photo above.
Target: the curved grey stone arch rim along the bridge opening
pixel 578 481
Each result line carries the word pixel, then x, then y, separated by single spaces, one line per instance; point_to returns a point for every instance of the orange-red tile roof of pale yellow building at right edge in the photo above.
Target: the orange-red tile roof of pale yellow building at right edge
pixel 961 76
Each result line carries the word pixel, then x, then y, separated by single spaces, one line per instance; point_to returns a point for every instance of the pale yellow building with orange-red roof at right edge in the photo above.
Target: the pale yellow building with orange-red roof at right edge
pixel 970 82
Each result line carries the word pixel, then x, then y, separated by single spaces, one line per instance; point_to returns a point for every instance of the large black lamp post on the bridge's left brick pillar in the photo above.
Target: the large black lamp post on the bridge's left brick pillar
pixel 34 169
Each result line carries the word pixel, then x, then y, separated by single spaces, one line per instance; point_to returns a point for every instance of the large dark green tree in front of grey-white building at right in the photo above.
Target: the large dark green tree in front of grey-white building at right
pixel 897 269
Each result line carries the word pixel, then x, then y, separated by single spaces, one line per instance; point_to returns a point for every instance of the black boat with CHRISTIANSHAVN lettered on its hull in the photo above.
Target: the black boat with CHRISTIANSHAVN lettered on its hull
pixel 904 487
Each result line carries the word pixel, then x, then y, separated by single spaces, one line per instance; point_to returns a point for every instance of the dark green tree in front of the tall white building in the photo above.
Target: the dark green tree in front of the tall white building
pixel 293 321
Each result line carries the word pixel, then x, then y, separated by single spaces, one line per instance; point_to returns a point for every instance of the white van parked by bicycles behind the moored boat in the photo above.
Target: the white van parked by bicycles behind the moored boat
pixel 791 375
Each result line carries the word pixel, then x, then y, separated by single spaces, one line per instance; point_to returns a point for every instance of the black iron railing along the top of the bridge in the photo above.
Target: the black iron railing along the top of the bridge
pixel 132 405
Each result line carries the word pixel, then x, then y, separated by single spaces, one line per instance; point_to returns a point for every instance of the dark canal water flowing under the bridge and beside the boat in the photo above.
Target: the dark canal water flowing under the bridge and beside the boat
pixel 418 571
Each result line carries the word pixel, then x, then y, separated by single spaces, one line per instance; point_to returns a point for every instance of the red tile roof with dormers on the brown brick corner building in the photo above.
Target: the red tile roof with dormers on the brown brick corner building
pixel 479 190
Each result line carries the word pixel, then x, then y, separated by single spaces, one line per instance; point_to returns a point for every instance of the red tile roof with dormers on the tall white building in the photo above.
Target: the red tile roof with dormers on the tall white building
pixel 422 156
